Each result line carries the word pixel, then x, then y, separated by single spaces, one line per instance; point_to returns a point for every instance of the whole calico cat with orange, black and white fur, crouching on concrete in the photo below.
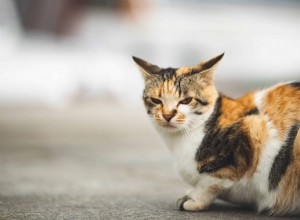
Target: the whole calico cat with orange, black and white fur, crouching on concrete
pixel 244 150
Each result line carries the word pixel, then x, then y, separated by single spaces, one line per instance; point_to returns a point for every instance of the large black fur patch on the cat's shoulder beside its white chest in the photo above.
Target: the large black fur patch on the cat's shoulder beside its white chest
pixel 226 145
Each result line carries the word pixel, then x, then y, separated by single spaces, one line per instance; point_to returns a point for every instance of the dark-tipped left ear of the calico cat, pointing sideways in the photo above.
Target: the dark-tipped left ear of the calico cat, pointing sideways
pixel 147 69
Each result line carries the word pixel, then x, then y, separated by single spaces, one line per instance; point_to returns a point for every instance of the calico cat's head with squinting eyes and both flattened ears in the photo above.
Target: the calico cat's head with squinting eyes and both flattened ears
pixel 179 99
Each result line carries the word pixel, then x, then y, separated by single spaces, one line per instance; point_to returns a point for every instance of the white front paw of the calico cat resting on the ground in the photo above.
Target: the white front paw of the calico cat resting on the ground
pixel 198 199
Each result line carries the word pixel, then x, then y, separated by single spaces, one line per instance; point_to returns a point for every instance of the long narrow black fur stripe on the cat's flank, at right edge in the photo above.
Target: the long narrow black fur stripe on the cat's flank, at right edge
pixel 283 158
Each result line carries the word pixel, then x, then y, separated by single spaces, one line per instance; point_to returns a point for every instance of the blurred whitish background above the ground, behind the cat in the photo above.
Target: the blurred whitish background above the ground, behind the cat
pixel 54 52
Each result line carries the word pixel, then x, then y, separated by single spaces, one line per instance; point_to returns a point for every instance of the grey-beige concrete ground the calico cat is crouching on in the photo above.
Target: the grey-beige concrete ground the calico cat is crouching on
pixel 91 162
